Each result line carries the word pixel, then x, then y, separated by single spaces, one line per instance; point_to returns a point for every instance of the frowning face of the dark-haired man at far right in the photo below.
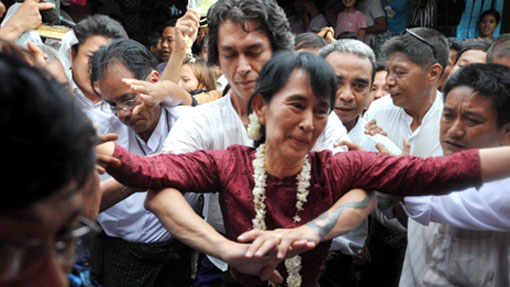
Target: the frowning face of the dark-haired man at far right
pixel 469 121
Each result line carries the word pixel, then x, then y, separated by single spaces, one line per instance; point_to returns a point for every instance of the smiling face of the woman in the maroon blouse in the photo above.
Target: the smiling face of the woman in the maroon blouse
pixel 294 118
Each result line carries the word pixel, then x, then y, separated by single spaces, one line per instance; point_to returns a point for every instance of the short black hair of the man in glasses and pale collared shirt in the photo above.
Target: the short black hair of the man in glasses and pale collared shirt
pixel 131 54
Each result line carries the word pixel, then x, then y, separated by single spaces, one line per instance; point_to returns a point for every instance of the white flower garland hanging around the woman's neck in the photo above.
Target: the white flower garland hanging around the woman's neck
pixel 293 265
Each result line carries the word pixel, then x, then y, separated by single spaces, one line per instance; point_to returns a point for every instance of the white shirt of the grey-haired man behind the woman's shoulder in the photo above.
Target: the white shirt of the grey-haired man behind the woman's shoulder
pixel 352 242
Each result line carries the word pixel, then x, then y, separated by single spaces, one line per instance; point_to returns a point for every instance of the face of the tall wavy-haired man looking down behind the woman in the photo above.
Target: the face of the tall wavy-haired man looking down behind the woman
pixel 241 55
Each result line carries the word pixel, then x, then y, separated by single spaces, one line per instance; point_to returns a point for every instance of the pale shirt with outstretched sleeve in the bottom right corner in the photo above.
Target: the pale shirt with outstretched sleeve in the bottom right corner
pixel 470 245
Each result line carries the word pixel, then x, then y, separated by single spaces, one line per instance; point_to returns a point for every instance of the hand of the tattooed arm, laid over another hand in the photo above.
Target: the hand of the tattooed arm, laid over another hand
pixel 286 242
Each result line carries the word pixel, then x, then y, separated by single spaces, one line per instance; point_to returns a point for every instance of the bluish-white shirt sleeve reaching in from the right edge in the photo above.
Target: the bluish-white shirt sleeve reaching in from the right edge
pixel 486 209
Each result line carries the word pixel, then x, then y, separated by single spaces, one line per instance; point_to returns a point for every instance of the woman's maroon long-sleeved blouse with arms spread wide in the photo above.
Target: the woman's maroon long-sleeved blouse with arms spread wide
pixel 231 172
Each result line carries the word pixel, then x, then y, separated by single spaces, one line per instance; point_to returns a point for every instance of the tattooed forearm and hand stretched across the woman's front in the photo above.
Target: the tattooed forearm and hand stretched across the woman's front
pixel 346 214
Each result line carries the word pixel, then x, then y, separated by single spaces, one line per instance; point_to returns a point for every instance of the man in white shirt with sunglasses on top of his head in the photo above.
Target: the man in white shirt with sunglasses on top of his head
pixel 415 62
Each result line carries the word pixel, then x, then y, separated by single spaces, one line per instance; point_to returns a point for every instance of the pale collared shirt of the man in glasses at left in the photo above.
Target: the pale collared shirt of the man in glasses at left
pixel 128 219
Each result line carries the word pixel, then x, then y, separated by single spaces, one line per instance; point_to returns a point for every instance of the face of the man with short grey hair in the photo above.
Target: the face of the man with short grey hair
pixel 354 75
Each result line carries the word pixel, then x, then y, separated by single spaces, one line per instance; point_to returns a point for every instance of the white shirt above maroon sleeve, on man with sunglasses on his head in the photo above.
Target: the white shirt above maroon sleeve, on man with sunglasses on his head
pixel 397 123
